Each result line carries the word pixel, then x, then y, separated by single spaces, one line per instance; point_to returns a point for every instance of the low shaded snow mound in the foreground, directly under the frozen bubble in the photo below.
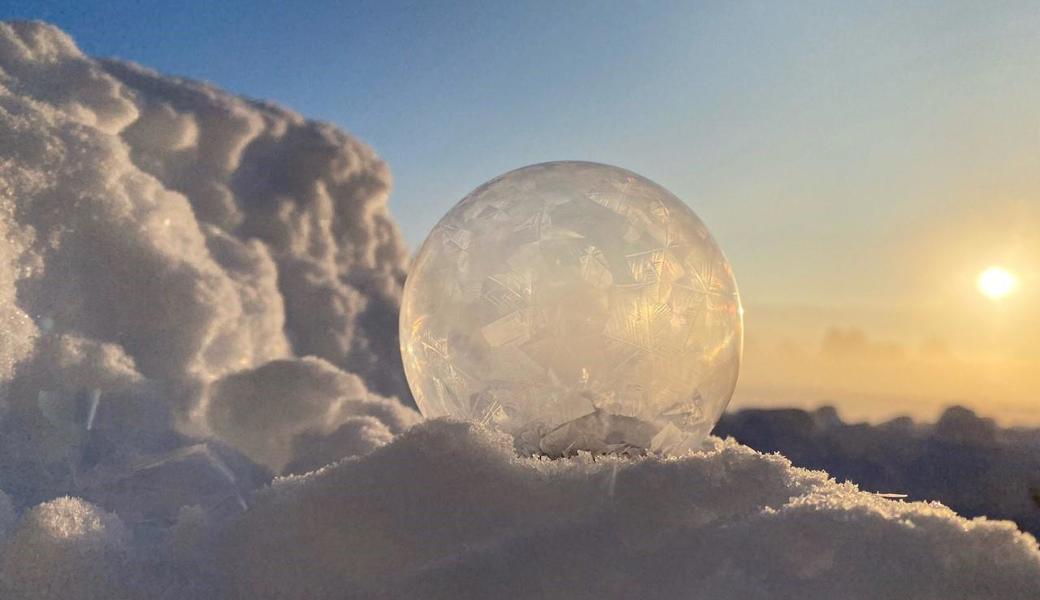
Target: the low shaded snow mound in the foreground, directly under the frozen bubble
pixel 450 511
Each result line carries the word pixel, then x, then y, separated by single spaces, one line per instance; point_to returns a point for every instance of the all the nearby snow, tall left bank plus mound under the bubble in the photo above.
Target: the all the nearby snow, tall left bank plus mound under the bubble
pixel 199 293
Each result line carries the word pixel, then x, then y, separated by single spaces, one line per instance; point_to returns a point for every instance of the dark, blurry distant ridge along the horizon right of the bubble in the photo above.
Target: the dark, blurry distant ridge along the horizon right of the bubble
pixel 965 461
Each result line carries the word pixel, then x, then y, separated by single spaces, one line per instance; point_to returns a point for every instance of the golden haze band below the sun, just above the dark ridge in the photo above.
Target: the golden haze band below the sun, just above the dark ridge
pixel 870 377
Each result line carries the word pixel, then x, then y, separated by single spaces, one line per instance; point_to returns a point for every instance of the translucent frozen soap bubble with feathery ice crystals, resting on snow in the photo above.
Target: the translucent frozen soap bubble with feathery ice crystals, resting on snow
pixel 579 307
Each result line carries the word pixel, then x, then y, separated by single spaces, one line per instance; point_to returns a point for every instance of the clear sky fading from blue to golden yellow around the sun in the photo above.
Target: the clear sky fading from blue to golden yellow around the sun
pixel 860 164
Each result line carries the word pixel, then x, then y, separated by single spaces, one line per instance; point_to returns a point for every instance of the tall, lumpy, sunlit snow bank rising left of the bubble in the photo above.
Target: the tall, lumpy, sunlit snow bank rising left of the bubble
pixel 170 246
